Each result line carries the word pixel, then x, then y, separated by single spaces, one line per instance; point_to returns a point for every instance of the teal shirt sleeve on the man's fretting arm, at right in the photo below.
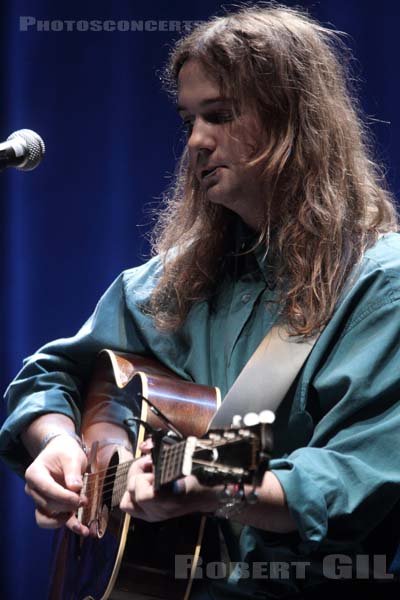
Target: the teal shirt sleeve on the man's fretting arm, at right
pixel 347 480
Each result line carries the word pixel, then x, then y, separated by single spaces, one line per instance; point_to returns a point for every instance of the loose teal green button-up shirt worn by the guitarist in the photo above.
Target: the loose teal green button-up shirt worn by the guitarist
pixel 337 433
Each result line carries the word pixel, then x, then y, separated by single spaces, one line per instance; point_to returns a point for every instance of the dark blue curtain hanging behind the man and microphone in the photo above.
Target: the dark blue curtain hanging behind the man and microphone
pixel 112 137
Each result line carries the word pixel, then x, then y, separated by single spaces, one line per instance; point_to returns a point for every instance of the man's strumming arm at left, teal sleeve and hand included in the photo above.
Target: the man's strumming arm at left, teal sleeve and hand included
pixel 46 397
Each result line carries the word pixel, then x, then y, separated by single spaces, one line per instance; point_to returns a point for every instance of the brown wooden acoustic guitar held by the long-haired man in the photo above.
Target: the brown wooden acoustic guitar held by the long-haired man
pixel 129 559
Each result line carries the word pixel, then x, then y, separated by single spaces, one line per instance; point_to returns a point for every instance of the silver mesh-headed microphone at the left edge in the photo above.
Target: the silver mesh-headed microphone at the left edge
pixel 24 150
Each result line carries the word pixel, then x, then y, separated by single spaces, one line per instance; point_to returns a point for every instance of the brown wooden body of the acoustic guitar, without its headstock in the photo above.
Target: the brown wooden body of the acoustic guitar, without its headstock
pixel 128 558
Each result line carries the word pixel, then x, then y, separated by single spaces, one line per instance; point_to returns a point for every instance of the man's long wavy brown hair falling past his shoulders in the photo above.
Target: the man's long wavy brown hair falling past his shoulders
pixel 316 164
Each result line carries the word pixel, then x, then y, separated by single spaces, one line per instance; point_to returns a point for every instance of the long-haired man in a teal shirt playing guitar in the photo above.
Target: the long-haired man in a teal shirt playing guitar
pixel 278 215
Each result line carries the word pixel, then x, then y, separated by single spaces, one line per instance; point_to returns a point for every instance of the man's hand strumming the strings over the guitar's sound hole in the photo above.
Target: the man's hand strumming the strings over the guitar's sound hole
pixel 54 482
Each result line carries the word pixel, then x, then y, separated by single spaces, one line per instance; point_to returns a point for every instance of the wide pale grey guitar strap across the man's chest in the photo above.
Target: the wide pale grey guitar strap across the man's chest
pixel 267 376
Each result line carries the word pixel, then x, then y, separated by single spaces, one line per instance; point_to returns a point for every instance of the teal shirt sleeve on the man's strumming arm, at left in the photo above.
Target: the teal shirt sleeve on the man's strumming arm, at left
pixel 52 379
